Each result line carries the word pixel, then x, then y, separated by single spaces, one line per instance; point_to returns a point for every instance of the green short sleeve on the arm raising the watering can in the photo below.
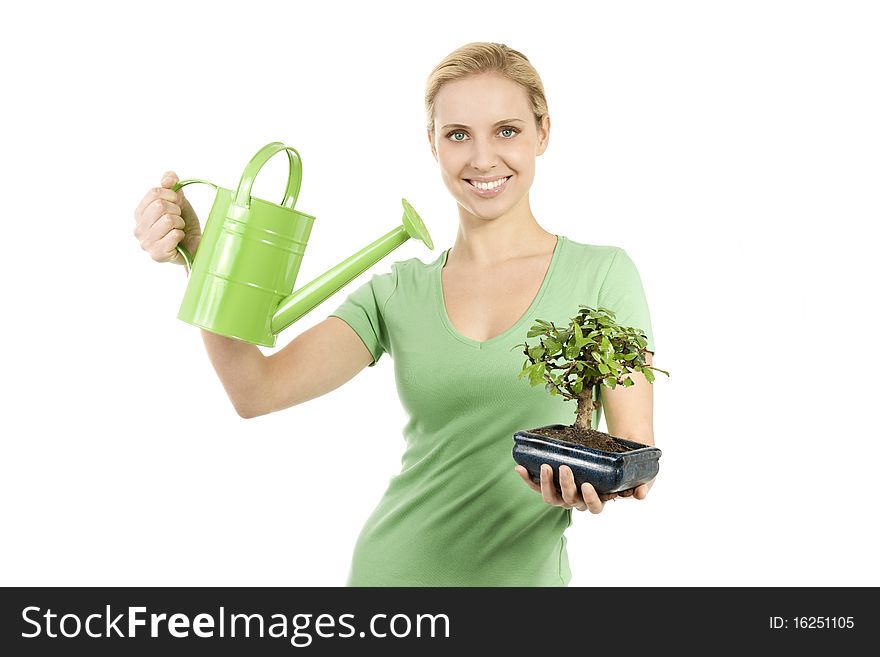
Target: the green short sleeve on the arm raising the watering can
pixel 363 310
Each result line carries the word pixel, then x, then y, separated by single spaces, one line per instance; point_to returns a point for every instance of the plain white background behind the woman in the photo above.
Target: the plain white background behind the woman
pixel 730 148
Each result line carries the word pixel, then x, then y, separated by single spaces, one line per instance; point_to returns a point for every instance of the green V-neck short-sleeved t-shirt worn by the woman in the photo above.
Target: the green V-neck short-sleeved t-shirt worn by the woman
pixel 458 514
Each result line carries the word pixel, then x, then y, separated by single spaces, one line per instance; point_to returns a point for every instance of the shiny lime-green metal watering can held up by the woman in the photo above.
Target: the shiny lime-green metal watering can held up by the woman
pixel 241 278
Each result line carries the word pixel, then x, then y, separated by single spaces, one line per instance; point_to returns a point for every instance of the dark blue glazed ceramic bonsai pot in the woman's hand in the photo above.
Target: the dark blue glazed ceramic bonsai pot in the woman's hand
pixel 608 472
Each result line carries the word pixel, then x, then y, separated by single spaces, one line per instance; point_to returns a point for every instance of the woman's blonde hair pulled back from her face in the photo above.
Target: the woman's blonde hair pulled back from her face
pixel 485 57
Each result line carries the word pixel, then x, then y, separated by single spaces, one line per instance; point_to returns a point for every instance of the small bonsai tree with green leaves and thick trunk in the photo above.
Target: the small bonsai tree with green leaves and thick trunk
pixel 592 350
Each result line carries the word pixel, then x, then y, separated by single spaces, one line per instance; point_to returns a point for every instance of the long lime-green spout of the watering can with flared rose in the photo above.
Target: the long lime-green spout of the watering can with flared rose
pixel 324 286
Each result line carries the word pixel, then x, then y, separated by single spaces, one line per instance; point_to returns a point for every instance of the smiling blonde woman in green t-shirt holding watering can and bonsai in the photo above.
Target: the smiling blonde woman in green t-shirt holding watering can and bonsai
pixel 457 514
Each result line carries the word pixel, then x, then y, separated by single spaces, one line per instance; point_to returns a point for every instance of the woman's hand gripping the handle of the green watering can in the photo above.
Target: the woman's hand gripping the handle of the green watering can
pixel 163 219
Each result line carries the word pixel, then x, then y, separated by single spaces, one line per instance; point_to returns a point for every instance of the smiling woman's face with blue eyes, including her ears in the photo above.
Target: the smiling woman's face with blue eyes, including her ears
pixel 484 129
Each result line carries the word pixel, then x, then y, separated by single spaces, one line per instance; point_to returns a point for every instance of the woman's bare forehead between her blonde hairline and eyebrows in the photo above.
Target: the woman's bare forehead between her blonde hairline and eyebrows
pixel 480 99
